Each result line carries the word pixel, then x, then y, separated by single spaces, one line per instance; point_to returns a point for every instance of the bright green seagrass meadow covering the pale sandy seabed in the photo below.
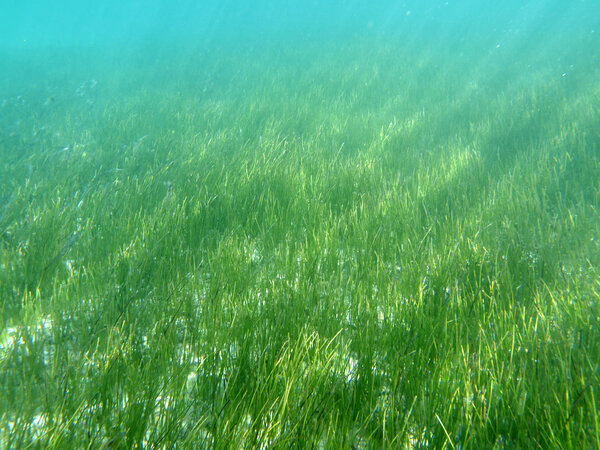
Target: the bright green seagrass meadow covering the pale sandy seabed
pixel 362 248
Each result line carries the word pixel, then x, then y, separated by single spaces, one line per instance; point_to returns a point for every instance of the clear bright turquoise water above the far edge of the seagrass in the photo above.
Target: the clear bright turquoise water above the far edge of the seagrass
pixel 515 25
